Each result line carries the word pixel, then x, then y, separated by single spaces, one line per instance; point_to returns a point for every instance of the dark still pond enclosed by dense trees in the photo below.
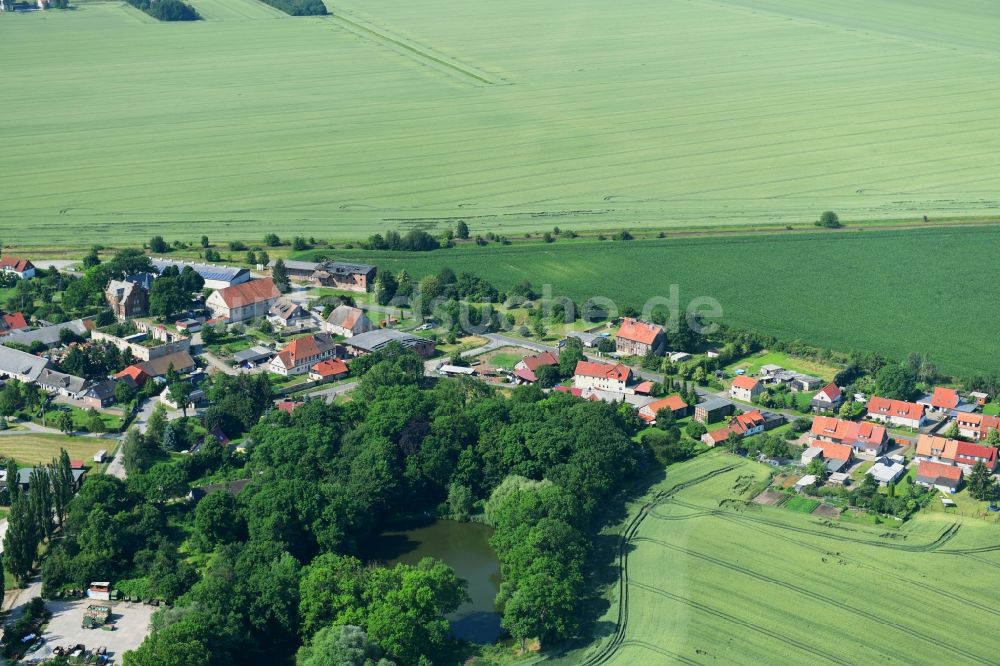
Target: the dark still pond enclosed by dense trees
pixel 465 548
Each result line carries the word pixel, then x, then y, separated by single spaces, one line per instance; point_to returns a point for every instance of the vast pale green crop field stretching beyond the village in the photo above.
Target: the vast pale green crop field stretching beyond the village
pixel 519 115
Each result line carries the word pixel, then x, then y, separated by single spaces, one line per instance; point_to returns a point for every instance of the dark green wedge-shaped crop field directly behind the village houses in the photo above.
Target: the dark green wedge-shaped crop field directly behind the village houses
pixel 894 292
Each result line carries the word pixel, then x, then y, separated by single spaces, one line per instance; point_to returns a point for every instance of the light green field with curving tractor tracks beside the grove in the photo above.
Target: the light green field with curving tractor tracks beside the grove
pixel 761 585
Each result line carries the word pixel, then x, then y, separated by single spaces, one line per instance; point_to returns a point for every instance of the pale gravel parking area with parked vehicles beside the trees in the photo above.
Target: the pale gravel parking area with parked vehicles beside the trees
pixel 131 623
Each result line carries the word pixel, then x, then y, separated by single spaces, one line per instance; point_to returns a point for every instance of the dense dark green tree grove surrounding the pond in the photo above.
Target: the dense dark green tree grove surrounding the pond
pixel 281 575
